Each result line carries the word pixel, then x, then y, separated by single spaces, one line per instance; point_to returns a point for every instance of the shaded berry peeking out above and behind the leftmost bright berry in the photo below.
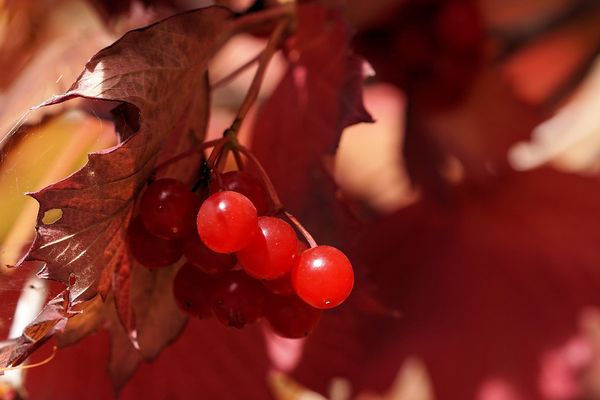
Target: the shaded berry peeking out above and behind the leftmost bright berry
pixel 246 184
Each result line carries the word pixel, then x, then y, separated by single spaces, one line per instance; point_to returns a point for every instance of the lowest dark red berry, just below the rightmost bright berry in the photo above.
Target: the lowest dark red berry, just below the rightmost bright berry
pixel 290 317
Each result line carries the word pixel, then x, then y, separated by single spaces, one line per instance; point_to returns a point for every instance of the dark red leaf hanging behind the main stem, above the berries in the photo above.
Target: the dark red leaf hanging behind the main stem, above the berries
pixel 319 95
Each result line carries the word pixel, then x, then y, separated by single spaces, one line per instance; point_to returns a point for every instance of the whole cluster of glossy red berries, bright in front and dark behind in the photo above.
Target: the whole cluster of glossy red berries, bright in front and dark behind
pixel 241 264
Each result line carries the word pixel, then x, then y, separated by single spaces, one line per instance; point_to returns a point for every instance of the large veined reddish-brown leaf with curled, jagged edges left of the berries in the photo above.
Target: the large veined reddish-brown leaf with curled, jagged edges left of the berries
pixel 156 81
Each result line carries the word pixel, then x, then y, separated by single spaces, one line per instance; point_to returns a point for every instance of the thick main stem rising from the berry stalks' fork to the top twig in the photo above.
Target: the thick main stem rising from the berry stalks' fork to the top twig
pixel 263 63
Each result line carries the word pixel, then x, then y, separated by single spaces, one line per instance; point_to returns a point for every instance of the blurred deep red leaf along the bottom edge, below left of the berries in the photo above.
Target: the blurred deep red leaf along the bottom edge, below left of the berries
pixel 198 365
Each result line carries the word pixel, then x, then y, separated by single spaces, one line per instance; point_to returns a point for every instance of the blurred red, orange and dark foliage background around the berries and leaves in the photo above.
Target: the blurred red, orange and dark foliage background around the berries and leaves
pixel 473 201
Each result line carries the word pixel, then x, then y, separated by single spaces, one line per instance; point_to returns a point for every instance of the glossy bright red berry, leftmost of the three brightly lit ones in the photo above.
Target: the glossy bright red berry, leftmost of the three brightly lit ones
pixel 227 222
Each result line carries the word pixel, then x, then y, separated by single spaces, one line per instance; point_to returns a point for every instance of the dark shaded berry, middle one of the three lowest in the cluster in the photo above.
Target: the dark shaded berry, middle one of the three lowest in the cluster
pixel 237 299
